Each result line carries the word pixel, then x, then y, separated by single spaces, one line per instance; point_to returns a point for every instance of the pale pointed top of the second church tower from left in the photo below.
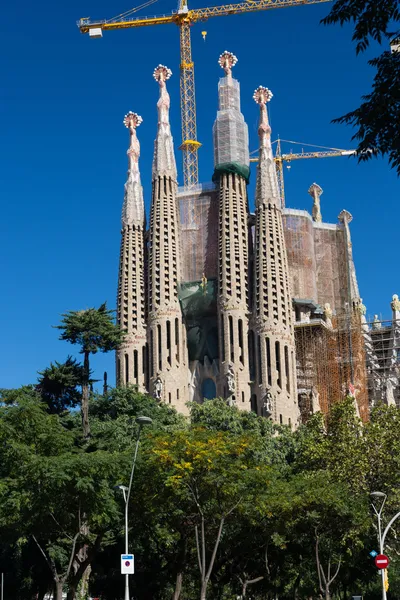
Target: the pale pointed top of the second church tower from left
pixel 164 158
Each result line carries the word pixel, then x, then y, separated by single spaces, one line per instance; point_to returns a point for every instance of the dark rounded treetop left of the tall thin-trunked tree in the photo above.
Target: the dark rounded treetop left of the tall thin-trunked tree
pixel 58 385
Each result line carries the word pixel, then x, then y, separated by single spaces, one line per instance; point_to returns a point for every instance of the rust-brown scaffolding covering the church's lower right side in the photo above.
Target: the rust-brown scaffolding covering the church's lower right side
pixel 348 356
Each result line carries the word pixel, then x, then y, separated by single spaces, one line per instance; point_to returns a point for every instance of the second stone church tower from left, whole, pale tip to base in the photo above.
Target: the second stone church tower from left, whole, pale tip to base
pixel 168 362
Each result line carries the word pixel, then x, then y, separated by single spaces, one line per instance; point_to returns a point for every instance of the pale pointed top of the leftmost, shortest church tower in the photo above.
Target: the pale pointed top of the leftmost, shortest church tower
pixel 133 206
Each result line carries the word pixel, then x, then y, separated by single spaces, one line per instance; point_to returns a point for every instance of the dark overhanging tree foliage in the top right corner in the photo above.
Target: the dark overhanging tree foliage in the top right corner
pixel 377 117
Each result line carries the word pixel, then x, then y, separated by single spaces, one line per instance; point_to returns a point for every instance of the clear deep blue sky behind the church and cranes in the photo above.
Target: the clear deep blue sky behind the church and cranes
pixel 63 150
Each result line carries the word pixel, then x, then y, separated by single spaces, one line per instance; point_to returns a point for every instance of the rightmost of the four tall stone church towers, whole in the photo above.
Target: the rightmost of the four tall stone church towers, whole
pixel 272 341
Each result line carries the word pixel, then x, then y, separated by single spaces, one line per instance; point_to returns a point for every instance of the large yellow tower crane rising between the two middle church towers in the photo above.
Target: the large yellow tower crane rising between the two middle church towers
pixel 184 18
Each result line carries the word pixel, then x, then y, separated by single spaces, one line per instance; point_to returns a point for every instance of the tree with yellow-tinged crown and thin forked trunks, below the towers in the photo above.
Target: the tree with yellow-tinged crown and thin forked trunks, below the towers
pixel 210 476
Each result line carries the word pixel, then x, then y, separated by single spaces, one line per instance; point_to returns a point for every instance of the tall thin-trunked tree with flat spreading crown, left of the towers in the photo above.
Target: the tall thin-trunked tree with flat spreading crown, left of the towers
pixel 93 330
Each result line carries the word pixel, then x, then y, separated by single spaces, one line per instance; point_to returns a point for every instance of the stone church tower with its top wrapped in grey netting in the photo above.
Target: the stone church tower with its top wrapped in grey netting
pixel 231 162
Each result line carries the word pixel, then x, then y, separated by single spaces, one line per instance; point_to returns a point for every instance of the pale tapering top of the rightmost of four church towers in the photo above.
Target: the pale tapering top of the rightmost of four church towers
pixel 267 189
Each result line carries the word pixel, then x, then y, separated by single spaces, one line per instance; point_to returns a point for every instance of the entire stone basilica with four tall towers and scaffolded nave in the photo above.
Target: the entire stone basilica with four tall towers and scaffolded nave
pixel 262 309
